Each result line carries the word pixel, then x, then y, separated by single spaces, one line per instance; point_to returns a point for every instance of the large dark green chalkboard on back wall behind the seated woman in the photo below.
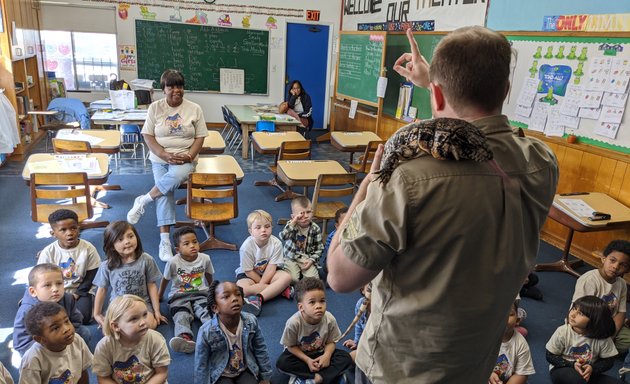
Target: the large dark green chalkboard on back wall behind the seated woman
pixel 199 51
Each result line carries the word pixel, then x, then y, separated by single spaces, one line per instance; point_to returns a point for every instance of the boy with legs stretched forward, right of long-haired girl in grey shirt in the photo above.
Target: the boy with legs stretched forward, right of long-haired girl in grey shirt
pixel 191 272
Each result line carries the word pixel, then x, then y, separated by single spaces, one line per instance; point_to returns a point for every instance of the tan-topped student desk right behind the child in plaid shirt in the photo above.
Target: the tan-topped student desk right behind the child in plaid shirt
pixel 304 173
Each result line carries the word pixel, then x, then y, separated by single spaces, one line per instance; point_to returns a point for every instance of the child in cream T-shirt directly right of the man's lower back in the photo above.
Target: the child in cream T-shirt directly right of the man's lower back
pixel 514 363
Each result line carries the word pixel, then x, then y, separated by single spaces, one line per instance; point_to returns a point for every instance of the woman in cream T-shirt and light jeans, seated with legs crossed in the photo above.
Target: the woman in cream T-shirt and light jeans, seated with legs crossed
pixel 174 131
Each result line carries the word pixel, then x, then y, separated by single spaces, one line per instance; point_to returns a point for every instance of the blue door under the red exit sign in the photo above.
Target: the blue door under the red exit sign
pixel 306 60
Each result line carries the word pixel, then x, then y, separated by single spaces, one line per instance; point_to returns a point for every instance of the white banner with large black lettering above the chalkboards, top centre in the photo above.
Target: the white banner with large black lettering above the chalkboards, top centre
pixel 445 15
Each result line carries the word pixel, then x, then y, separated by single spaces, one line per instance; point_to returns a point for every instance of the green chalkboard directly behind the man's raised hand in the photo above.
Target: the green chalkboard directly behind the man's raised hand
pixel 397 44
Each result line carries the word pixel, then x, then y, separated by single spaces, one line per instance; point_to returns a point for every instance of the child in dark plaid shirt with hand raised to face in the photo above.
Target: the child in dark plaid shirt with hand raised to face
pixel 302 241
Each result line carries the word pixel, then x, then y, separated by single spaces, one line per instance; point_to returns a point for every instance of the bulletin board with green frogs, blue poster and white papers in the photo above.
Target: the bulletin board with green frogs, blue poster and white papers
pixel 577 84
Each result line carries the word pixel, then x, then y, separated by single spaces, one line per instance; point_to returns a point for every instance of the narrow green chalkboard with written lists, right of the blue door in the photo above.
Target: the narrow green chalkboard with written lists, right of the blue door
pixel 360 64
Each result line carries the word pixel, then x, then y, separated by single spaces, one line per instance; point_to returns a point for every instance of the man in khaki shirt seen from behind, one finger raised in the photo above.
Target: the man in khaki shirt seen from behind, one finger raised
pixel 448 243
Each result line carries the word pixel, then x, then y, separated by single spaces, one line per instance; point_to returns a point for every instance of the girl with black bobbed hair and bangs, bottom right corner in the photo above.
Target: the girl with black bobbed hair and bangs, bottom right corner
pixel 581 350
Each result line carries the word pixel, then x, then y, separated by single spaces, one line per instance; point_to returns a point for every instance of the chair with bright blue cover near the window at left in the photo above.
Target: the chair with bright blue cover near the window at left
pixel 71 113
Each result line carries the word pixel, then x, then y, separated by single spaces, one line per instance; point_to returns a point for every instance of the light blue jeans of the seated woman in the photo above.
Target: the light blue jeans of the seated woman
pixel 167 178
